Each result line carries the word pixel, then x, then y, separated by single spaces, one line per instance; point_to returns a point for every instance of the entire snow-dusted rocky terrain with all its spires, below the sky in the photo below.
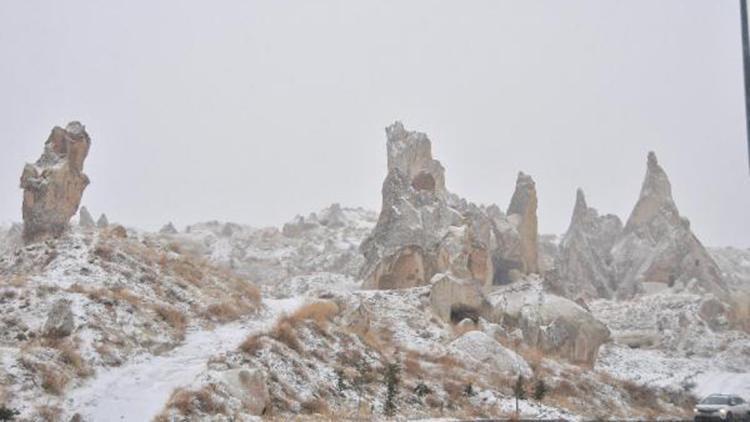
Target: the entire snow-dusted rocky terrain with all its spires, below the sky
pixel 433 307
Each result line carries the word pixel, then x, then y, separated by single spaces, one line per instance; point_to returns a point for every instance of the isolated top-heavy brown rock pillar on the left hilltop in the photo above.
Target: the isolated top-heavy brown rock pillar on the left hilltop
pixel 54 185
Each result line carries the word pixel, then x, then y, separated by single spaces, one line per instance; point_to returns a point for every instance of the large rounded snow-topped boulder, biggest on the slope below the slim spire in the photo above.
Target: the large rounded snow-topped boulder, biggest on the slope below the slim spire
pixel 555 325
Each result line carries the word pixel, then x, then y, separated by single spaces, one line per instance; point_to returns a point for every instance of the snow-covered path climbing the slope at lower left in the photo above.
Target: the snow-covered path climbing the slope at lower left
pixel 138 391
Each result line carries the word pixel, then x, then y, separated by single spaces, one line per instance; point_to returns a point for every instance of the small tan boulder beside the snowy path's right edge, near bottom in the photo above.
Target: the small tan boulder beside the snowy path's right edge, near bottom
pixel 248 385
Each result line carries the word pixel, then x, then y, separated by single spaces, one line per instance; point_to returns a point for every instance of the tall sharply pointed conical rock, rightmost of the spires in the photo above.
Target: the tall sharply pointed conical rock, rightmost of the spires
pixel 657 245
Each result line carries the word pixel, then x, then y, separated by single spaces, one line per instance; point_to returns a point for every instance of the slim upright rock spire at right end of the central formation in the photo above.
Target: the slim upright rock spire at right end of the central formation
pixel 524 204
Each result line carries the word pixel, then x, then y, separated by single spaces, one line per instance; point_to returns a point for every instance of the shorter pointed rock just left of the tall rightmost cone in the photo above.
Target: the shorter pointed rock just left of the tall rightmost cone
pixel 584 261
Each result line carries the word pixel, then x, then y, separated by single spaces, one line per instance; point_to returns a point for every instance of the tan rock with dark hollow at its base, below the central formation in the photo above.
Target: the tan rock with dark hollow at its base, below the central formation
pixel 449 295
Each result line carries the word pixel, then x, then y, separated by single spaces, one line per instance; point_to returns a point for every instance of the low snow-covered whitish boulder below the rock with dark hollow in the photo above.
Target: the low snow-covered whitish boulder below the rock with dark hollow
pixel 481 353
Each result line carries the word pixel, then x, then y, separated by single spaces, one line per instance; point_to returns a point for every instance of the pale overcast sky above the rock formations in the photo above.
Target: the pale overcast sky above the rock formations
pixel 256 111
